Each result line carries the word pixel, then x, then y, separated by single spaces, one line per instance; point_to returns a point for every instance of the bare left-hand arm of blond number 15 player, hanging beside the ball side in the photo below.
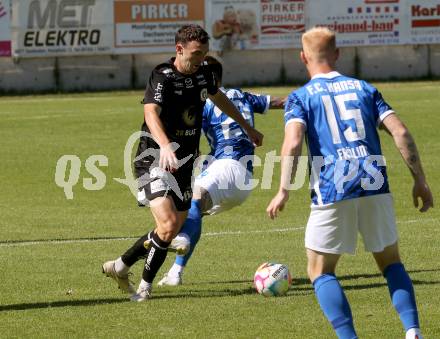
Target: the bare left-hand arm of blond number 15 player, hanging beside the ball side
pixel 290 152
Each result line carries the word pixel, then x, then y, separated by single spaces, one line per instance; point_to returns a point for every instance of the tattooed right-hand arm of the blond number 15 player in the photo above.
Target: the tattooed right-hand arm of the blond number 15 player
pixel 408 149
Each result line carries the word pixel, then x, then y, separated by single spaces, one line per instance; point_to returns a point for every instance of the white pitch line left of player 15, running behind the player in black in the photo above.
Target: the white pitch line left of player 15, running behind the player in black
pixel 79 241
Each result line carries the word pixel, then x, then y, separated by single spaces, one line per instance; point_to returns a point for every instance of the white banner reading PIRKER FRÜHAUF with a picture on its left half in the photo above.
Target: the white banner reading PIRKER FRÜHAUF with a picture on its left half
pixel 254 24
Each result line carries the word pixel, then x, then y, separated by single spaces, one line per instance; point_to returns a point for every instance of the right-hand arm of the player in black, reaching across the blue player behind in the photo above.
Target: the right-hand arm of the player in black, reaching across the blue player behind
pixel 226 106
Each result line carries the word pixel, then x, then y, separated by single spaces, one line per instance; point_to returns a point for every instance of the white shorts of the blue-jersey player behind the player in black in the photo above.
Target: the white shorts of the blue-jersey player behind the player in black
pixel 226 181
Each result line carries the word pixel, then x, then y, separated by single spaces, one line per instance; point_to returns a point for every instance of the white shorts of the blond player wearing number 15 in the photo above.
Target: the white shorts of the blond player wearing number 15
pixel 333 228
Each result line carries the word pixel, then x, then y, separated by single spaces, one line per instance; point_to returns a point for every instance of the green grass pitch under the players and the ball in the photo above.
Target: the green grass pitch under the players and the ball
pixel 56 289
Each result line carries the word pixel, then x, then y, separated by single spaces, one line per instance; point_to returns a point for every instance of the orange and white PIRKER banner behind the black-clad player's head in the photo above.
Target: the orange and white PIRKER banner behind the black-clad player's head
pixel 150 26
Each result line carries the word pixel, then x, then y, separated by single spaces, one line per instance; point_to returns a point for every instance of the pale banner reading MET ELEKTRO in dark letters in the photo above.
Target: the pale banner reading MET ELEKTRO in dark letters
pixel 62 27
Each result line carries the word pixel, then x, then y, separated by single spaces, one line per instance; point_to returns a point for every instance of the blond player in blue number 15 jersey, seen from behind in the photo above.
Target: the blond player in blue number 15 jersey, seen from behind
pixel 339 116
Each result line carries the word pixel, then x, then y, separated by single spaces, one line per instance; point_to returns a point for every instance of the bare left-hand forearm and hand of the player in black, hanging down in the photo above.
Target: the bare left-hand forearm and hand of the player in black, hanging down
pixel 167 160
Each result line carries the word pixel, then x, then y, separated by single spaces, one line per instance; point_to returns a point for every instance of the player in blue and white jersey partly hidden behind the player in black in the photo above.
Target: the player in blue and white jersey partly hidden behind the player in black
pixel 222 185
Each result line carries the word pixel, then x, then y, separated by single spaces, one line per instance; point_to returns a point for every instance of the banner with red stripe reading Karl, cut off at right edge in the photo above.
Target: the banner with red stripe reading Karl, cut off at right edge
pixel 424 21
